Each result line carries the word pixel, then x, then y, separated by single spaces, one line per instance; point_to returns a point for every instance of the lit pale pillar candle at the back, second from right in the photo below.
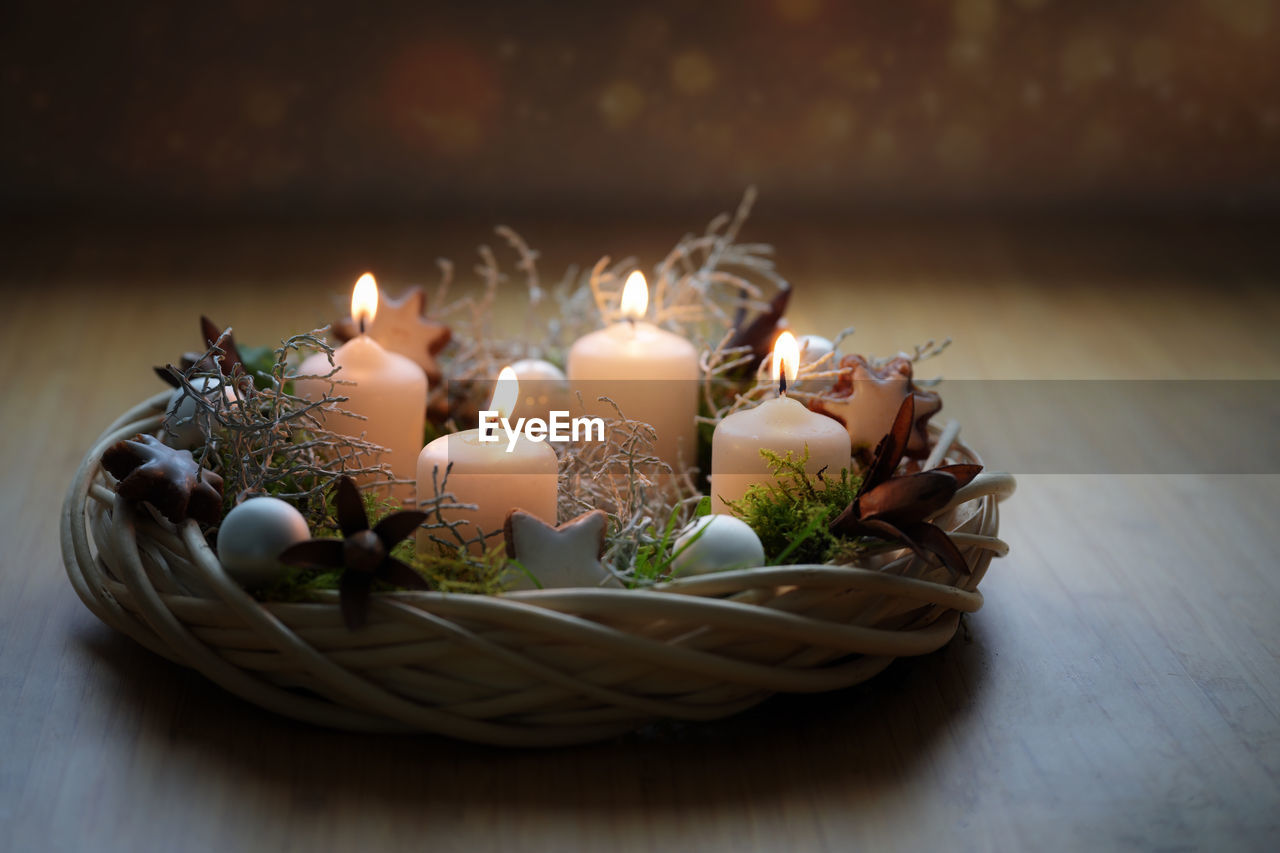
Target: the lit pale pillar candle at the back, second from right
pixel 650 373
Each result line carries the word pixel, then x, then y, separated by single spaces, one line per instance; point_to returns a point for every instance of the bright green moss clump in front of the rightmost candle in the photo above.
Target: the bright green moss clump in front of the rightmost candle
pixel 792 514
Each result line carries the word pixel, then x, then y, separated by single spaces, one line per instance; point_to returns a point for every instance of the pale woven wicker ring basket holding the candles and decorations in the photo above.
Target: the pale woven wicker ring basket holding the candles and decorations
pixel 529 669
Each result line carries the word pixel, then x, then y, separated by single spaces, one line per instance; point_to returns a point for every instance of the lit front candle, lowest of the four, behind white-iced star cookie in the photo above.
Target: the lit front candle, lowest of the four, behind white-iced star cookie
pixel 488 475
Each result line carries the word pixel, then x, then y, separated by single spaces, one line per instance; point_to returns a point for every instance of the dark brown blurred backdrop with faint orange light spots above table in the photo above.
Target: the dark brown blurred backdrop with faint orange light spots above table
pixel 308 111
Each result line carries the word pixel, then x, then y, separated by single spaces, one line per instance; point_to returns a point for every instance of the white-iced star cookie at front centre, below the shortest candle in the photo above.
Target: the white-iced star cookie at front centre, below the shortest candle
pixel 559 556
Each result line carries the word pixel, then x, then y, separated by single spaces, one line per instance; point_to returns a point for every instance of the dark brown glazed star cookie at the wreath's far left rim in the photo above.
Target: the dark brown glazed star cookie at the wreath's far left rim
pixel 168 480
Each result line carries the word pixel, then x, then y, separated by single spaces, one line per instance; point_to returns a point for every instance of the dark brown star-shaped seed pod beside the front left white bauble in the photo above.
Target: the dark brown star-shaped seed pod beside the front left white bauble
pixel 363 554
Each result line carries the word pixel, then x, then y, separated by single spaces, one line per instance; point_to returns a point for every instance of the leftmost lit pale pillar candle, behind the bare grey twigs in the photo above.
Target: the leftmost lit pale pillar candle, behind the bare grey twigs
pixel 390 391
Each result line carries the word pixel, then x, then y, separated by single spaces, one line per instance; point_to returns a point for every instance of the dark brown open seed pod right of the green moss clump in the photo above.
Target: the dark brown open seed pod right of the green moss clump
pixel 897 508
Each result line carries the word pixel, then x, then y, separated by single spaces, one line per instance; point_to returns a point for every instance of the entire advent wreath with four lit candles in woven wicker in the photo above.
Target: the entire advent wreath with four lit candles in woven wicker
pixel 408 522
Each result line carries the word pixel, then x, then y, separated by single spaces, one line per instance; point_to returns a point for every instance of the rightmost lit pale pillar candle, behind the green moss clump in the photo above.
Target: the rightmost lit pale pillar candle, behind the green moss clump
pixel 780 426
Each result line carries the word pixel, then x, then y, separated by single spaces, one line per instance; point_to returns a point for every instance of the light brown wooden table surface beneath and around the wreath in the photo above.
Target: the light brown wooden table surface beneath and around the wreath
pixel 1121 688
